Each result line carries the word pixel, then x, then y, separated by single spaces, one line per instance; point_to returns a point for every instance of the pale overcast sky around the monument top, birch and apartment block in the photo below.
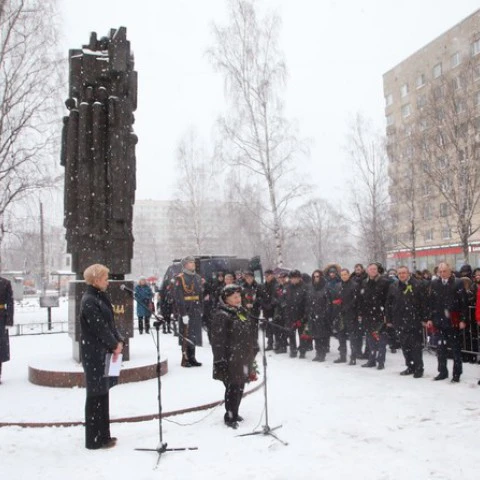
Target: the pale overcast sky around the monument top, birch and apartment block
pixel 336 54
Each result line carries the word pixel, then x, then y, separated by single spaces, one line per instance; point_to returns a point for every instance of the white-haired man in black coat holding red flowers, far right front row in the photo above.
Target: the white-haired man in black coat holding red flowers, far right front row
pixel 448 316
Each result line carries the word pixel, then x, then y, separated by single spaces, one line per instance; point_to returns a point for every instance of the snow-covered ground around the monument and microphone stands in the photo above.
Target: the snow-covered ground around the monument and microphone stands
pixel 340 421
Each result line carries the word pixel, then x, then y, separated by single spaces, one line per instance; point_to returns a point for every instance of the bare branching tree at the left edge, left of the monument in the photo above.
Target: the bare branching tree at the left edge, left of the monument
pixel 29 82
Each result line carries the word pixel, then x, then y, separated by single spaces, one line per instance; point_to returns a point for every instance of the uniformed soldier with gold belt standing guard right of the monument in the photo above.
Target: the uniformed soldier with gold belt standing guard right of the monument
pixel 188 296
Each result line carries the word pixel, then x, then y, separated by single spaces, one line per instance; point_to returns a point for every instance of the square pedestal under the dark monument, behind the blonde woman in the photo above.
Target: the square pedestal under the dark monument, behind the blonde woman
pixel 122 302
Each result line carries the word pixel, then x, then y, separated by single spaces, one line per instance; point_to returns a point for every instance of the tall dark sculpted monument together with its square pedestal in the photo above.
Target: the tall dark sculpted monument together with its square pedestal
pixel 98 153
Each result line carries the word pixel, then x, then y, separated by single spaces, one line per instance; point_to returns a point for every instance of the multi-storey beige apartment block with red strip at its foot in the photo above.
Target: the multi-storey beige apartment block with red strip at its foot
pixel 432 109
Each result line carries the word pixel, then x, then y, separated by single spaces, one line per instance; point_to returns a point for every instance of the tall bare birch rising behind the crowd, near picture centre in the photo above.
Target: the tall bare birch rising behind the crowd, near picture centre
pixel 255 134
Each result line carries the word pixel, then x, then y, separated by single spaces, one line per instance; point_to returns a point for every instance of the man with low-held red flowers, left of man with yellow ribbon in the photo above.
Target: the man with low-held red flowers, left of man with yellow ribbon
pixel 370 310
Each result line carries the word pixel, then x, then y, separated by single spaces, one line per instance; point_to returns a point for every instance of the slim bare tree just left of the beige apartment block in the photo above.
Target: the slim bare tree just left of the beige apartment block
pixel 369 188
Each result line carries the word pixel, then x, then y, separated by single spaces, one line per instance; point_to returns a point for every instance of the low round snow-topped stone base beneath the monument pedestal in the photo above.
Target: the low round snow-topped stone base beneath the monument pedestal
pixel 48 374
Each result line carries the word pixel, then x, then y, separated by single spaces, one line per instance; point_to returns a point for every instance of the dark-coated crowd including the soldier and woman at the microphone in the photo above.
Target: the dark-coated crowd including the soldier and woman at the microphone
pixel 367 310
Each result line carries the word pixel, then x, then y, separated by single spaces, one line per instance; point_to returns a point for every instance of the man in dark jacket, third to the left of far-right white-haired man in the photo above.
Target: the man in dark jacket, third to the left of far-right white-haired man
pixel 349 319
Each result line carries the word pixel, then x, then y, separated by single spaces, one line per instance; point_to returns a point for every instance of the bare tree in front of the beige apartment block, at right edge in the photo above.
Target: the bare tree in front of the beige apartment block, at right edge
pixel 448 140
